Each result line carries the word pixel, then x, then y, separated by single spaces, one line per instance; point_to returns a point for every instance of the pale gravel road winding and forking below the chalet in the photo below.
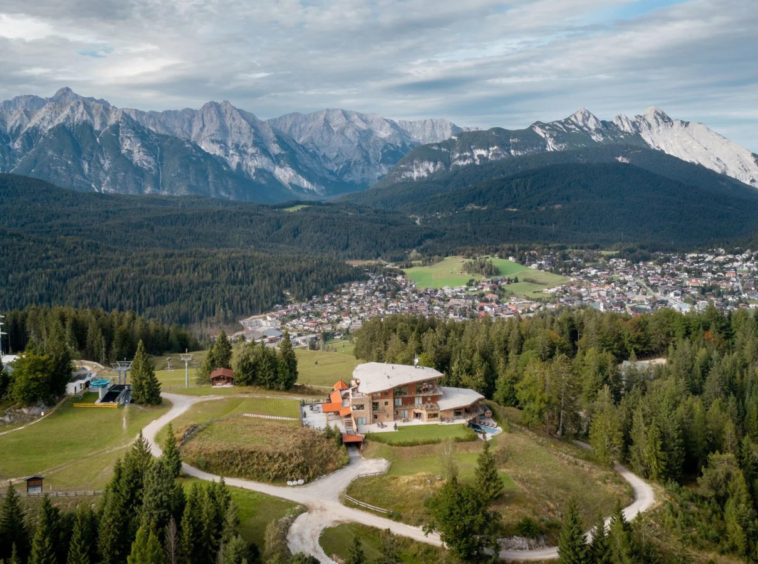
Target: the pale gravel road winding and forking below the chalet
pixel 322 497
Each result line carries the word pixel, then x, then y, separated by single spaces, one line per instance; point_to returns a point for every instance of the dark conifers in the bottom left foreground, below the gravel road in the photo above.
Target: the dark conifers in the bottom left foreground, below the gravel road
pixel 145 516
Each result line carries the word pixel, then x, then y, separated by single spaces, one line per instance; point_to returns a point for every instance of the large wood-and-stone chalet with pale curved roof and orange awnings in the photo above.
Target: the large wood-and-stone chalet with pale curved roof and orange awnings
pixel 388 393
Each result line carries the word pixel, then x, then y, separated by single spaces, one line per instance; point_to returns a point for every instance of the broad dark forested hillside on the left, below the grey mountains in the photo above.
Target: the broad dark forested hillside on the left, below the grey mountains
pixel 179 260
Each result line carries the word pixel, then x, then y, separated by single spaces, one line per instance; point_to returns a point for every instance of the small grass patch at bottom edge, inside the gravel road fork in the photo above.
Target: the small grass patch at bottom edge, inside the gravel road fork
pixel 338 540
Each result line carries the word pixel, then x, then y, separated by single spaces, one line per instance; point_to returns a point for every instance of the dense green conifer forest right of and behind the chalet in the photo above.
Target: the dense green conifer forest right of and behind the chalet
pixel 689 422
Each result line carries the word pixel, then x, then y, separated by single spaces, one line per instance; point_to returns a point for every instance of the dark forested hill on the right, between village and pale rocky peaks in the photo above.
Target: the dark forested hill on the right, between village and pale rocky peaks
pixel 603 203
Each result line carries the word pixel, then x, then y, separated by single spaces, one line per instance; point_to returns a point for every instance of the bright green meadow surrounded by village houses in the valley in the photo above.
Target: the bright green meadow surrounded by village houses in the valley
pixel 448 273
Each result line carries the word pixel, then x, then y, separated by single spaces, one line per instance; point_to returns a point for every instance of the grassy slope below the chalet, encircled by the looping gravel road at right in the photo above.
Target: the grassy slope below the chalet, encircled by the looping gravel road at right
pixel 539 476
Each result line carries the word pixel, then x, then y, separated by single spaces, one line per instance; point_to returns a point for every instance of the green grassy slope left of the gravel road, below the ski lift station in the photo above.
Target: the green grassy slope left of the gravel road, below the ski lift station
pixel 74 448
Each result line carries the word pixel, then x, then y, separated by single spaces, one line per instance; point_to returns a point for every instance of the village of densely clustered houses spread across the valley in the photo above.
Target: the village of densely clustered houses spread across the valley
pixel 593 279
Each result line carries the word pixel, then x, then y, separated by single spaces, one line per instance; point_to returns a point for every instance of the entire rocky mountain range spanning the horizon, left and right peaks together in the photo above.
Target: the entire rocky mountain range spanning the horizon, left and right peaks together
pixel 222 151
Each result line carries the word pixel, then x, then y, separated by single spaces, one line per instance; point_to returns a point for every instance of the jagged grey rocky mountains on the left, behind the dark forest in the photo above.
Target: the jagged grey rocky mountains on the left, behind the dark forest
pixel 219 150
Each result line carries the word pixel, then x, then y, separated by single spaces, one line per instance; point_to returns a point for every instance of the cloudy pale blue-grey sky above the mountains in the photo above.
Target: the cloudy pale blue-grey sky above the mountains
pixel 478 63
